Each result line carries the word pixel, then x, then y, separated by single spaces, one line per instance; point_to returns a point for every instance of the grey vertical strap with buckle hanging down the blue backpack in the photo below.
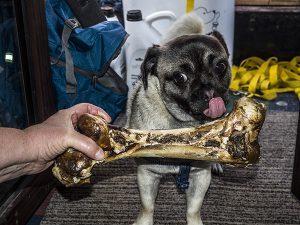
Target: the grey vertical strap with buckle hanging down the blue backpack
pixel 70 25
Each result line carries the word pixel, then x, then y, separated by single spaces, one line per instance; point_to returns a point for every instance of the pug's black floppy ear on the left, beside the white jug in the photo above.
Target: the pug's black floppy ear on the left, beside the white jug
pixel 149 64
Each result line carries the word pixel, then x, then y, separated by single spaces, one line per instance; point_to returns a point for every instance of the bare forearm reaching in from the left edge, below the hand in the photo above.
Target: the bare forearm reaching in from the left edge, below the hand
pixel 19 152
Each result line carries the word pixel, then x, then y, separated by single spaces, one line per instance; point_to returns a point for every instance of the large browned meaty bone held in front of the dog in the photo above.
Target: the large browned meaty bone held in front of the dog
pixel 231 140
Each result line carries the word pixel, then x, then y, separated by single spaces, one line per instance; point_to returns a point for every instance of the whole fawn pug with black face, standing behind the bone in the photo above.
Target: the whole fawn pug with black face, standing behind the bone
pixel 184 82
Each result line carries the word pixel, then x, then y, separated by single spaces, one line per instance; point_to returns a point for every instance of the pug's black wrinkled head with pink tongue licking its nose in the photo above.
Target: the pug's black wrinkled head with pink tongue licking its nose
pixel 194 75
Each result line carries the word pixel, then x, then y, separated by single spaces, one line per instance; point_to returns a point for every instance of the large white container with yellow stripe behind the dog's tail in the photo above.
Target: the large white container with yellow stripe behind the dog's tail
pixel 216 14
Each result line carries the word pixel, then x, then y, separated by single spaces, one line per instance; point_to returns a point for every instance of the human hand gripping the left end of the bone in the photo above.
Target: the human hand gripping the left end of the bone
pixel 51 138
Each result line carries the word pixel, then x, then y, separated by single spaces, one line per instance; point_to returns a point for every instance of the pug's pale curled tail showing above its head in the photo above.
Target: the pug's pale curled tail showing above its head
pixel 185 25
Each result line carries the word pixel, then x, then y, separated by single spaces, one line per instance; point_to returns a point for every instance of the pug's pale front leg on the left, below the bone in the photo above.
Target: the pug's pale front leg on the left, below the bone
pixel 148 183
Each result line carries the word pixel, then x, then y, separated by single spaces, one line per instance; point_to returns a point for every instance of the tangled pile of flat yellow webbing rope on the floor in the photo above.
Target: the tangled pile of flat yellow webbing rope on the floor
pixel 266 78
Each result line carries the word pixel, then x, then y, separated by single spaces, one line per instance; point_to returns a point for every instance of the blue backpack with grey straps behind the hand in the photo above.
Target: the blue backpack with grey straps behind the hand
pixel 80 59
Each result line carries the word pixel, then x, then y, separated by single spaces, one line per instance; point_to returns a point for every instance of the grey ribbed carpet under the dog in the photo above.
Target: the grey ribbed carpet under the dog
pixel 257 195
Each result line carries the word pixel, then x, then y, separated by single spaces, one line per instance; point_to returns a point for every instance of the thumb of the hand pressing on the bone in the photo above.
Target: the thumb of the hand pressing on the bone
pixel 85 145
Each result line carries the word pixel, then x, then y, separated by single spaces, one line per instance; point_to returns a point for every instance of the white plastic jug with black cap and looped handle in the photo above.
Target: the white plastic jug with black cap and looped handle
pixel 142 35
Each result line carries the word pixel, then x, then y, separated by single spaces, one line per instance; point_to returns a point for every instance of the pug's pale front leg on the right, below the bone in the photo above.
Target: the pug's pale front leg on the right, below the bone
pixel 199 183
